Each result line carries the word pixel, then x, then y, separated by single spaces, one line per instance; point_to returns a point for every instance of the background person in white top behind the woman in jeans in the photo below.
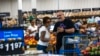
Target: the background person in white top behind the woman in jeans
pixel 32 29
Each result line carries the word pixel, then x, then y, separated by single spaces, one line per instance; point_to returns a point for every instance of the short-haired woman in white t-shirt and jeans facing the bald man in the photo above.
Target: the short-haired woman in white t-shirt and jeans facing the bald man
pixel 44 35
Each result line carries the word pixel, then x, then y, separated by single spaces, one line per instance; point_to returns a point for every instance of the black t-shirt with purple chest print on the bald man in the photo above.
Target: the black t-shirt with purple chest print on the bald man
pixel 66 24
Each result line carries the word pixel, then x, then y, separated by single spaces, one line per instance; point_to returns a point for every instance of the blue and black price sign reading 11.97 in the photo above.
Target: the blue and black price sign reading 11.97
pixel 11 41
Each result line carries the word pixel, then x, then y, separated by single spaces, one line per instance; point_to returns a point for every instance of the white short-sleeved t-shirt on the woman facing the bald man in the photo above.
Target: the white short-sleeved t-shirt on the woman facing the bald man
pixel 47 36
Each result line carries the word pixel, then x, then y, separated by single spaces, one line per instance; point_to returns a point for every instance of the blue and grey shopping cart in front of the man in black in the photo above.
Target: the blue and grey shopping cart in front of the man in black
pixel 76 48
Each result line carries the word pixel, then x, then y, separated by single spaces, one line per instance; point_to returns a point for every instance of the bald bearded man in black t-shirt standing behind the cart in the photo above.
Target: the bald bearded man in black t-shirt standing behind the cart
pixel 63 27
